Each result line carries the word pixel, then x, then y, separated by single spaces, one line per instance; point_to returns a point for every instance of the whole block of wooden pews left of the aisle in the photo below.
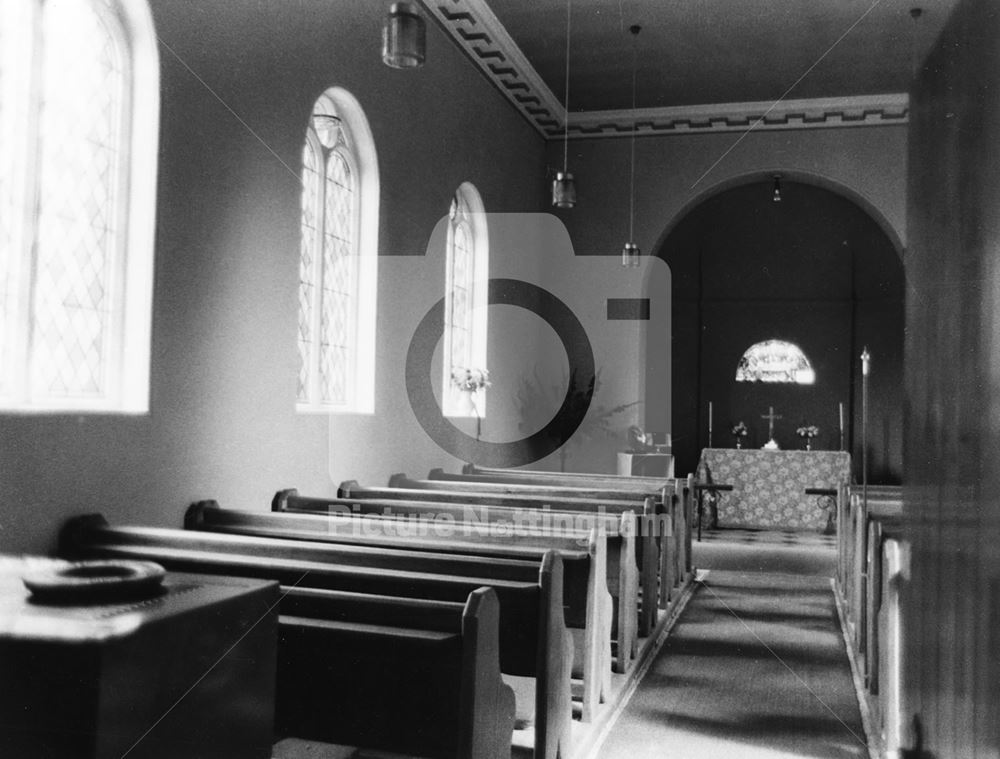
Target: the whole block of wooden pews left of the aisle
pixel 457 615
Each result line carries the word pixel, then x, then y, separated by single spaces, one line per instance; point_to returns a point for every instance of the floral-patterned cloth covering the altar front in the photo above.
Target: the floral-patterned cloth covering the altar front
pixel 769 487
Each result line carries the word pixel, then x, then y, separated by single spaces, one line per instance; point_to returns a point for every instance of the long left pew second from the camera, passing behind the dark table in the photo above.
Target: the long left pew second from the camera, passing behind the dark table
pixel 533 639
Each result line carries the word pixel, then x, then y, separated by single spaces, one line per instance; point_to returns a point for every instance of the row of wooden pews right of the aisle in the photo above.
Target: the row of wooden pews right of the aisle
pixel 871 565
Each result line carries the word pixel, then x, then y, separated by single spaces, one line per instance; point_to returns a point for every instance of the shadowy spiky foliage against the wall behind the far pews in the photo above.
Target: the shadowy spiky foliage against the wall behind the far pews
pixel 538 399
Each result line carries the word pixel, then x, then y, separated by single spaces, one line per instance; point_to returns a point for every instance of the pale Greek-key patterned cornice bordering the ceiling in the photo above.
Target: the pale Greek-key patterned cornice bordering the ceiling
pixel 477 30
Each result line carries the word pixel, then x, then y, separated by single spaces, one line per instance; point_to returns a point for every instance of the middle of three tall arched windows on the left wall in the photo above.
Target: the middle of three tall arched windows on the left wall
pixel 338 261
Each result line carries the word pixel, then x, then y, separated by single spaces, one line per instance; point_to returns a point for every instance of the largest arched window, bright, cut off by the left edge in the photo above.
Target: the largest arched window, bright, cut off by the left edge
pixel 79 123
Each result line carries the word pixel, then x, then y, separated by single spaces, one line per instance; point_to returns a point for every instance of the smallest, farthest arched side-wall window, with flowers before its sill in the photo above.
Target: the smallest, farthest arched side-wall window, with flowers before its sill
pixel 465 309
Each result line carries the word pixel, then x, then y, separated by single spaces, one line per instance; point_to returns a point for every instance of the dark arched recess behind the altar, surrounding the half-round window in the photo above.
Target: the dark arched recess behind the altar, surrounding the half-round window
pixel 817 270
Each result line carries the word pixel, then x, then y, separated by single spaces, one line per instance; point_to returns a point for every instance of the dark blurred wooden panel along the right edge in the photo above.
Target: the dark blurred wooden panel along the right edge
pixel 953 391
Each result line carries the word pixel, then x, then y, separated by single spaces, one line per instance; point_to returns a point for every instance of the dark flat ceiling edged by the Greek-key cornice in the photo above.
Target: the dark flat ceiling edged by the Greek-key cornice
pixel 692 52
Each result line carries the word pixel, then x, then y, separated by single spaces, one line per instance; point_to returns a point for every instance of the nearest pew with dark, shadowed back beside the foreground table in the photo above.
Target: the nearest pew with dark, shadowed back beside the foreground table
pixel 360 676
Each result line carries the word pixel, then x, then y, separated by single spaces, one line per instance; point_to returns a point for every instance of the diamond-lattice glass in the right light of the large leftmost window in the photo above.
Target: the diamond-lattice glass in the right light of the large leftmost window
pixel 81 134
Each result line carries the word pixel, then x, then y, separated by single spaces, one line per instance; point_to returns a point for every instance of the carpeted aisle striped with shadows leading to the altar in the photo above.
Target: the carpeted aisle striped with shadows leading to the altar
pixel 755 668
